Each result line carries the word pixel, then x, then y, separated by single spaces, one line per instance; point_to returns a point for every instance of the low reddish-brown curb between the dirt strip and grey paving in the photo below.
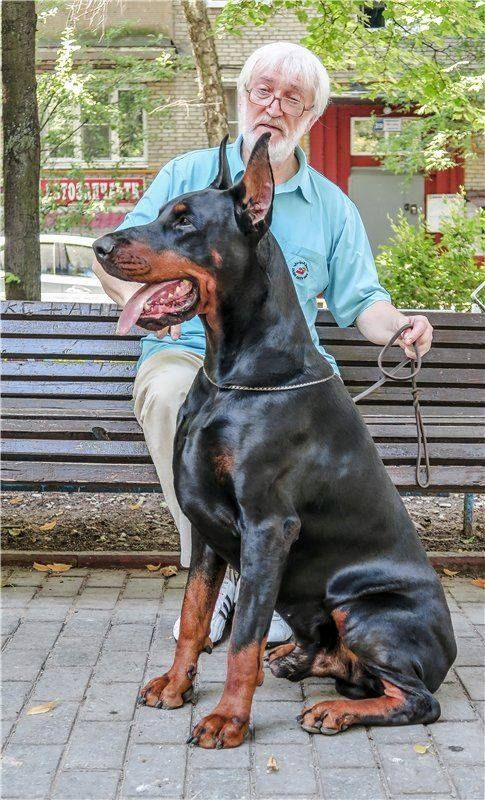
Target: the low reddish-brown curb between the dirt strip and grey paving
pixel 138 560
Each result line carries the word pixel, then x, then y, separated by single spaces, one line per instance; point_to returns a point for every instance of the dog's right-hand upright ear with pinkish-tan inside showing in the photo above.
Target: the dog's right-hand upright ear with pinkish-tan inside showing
pixel 255 191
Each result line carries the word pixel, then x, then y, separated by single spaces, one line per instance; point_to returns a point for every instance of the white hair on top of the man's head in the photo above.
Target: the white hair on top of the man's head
pixel 292 61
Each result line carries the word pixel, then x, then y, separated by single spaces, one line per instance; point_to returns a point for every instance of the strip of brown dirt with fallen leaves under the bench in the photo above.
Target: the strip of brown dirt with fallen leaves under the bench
pixel 59 521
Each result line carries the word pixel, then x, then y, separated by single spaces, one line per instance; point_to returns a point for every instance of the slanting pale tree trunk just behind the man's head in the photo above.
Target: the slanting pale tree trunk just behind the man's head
pixel 208 73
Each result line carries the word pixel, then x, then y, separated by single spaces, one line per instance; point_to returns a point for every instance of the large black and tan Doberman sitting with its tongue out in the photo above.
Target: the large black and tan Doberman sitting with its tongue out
pixel 280 478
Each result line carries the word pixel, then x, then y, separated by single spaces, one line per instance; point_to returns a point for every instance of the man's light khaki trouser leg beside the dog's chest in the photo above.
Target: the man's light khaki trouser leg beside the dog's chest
pixel 161 386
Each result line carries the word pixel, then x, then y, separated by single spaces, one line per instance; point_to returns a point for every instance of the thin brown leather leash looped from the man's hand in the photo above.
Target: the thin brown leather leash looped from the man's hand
pixel 394 374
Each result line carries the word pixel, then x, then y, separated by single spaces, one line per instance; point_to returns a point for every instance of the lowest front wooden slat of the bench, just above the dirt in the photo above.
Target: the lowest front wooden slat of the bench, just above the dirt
pixel 52 475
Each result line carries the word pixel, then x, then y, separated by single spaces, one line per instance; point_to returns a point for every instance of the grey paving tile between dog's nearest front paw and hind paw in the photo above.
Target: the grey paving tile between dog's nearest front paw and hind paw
pixel 276 722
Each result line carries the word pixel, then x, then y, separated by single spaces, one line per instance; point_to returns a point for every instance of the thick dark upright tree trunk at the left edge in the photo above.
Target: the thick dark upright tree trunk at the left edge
pixel 21 150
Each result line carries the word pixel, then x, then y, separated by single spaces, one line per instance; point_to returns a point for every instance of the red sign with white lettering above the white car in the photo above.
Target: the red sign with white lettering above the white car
pixel 68 190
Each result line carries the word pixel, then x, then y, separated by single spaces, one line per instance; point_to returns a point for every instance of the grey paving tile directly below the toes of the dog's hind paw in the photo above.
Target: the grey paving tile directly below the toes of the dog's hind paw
pixel 349 749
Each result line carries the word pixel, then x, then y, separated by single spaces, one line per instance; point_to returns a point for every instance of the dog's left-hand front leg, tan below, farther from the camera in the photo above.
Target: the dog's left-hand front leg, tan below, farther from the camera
pixel 206 573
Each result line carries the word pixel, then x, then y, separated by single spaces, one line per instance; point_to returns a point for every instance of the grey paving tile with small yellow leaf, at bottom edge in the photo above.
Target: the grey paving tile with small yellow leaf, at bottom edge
pixel 295 776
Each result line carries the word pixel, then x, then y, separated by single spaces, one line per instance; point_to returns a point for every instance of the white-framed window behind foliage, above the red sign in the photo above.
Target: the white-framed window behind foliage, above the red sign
pixel 94 143
